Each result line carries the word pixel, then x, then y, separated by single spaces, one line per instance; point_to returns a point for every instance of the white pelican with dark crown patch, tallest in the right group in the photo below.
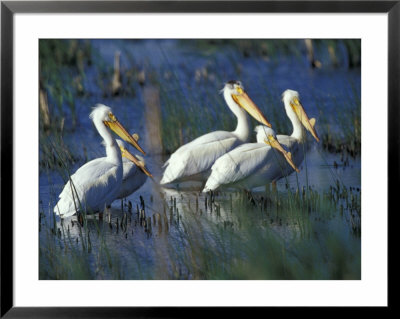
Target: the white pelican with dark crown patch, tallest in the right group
pixel 193 160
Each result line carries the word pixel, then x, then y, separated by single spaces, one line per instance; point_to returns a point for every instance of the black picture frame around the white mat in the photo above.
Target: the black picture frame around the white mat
pixel 9 8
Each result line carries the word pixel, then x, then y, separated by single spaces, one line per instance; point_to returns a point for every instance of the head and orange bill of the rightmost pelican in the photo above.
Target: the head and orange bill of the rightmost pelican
pixel 291 100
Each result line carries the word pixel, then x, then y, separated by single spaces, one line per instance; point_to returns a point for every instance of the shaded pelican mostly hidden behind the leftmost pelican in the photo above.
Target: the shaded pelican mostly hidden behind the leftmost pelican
pixel 134 172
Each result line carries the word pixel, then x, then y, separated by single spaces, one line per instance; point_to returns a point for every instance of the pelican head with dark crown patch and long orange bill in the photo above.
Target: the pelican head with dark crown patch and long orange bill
pixel 234 91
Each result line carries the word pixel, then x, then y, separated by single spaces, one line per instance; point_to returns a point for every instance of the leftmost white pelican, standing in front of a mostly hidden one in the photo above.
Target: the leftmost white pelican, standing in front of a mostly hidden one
pixel 96 183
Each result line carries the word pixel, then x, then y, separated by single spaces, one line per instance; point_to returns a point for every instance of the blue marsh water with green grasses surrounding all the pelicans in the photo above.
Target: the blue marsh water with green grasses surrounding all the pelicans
pixel 299 230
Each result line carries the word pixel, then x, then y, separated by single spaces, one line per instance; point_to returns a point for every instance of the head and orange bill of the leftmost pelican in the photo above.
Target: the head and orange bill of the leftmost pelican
pixel 104 114
